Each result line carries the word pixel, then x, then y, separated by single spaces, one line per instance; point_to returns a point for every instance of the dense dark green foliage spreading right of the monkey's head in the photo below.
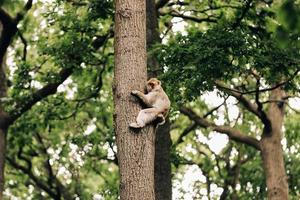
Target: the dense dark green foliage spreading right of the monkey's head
pixel 195 61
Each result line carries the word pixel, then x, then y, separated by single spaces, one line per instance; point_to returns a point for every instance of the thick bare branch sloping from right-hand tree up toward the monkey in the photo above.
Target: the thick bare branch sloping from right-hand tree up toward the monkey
pixel 232 133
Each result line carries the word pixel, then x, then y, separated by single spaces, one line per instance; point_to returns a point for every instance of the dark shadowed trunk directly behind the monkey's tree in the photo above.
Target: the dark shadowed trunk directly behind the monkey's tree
pixel 162 166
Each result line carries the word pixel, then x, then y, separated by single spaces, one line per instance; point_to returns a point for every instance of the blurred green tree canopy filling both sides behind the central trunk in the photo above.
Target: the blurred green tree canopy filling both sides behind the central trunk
pixel 222 63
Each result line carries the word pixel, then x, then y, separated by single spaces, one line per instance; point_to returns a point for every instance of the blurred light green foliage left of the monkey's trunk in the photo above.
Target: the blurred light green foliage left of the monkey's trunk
pixel 63 130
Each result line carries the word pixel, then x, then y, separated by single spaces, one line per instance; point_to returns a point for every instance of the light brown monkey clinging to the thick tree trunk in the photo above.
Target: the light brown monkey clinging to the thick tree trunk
pixel 156 100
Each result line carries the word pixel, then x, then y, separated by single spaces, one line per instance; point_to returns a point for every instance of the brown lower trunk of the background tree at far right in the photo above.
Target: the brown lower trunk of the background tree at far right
pixel 271 150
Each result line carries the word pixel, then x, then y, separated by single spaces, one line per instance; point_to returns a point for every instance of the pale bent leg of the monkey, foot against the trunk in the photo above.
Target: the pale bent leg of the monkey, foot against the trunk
pixel 144 117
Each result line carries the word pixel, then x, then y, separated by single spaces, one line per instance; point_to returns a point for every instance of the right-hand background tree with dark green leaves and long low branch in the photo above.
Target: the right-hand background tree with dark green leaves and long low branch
pixel 240 64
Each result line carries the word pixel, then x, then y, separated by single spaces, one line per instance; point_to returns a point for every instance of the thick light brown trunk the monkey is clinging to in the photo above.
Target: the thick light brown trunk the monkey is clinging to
pixel 135 148
